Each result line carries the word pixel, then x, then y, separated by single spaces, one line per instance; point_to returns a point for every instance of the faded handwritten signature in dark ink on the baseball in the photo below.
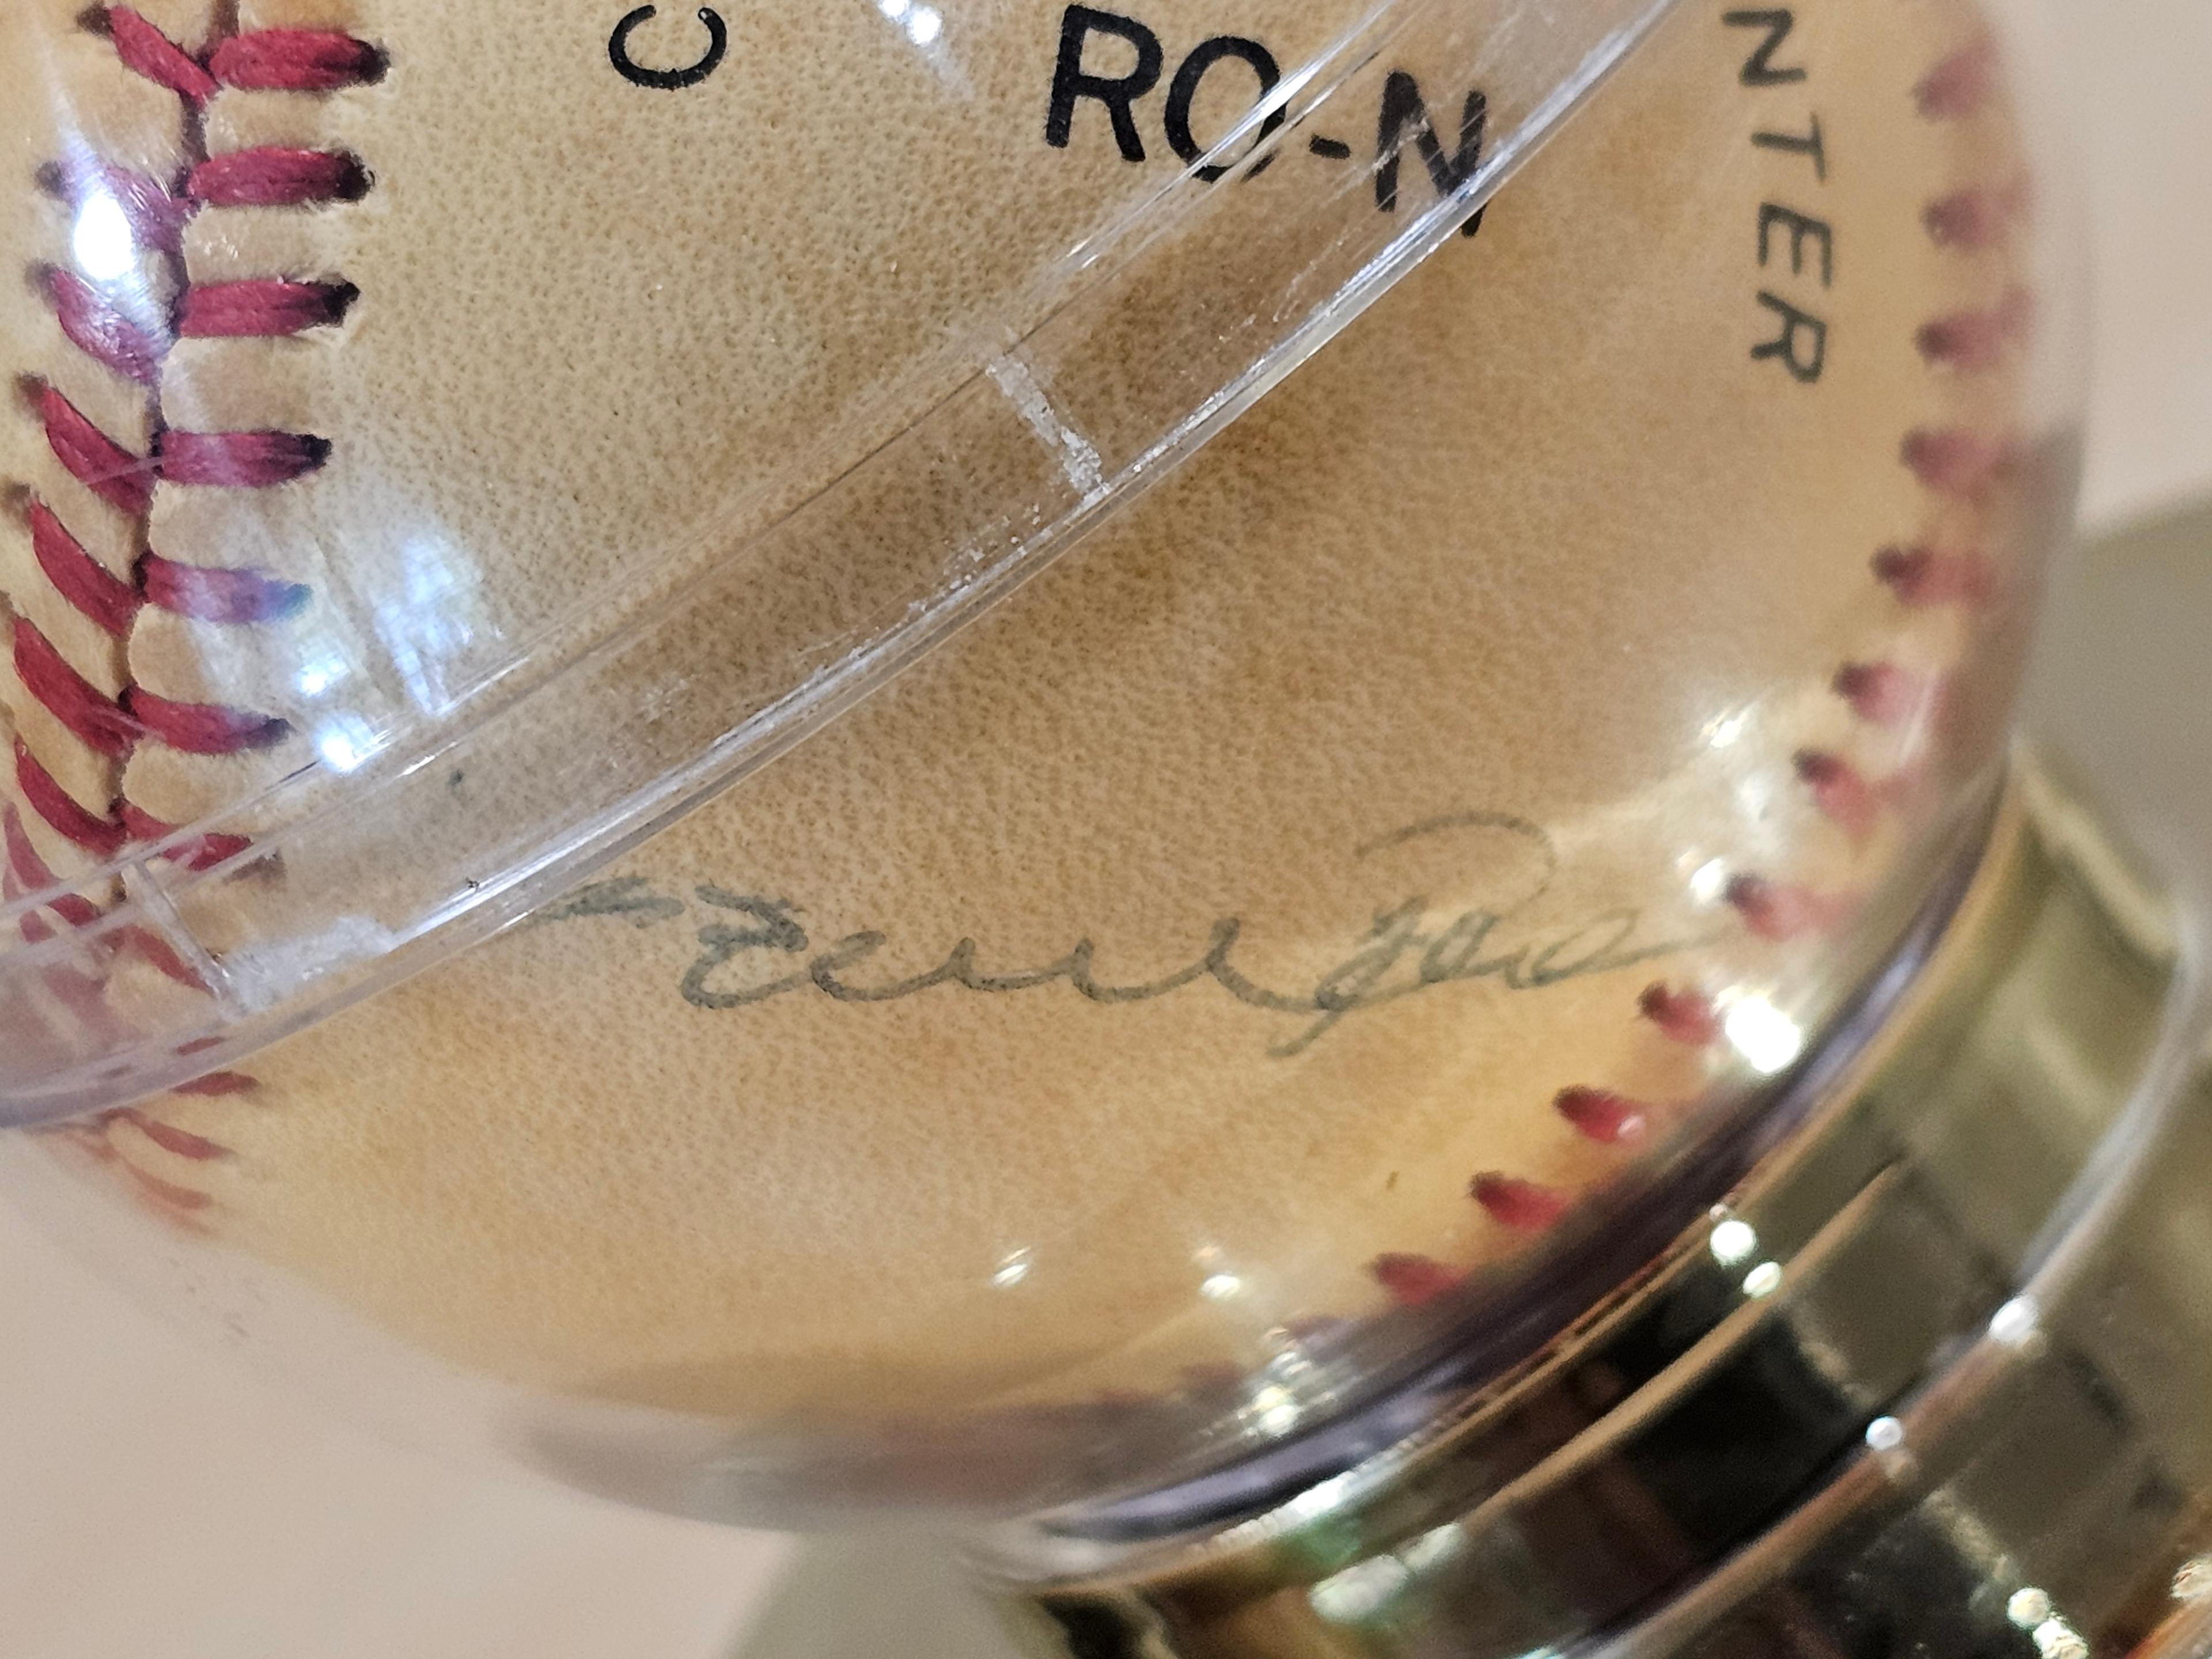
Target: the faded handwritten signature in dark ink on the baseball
pixel 1408 948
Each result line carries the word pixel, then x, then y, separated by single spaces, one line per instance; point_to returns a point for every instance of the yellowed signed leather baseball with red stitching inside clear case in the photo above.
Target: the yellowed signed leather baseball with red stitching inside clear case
pixel 1512 738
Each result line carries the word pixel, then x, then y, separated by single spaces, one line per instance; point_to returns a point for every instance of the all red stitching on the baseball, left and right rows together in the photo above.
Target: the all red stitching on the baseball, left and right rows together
pixel 1948 463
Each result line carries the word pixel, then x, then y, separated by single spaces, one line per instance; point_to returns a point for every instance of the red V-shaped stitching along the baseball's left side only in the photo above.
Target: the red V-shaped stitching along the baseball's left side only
pixel 132 335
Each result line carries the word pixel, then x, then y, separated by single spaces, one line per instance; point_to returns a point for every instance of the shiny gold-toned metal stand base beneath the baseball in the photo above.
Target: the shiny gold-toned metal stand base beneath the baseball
pixel 1939 1381
